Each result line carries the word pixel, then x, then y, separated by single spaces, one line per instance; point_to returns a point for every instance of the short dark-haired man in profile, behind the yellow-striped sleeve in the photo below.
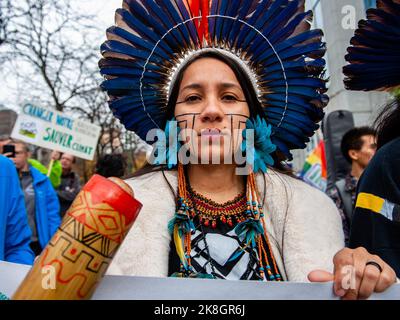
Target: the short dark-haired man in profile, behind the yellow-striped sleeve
pixel 358 146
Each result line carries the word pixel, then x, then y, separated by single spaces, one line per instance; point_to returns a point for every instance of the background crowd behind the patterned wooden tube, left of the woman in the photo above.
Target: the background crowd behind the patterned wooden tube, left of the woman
pixel 35 198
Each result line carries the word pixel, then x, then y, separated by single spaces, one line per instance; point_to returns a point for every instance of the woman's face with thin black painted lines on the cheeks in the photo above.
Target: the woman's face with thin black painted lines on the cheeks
pixel 211 102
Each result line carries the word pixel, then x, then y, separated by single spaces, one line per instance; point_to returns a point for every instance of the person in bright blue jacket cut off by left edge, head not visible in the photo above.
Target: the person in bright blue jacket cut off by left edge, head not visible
pixel 15 234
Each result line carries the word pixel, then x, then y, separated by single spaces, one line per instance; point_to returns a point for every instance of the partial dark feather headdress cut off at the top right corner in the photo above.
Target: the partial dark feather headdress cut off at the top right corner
pixel 374 56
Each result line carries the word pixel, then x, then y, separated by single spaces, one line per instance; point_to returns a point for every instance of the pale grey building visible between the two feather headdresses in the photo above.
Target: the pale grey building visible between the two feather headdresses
pixel 339 19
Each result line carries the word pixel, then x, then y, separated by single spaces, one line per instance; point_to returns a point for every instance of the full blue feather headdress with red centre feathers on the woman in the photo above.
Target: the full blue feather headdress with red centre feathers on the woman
pixel 272 38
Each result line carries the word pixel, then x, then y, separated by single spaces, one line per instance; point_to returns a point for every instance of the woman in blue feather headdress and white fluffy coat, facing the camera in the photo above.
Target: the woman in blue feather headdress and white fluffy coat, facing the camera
pixel 226 80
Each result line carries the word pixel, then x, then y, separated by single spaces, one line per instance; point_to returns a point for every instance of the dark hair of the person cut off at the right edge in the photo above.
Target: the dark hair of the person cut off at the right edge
pixel 387 124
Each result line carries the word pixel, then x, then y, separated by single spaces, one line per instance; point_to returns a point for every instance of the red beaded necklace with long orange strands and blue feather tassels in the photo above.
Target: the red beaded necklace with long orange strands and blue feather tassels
pixel 251 227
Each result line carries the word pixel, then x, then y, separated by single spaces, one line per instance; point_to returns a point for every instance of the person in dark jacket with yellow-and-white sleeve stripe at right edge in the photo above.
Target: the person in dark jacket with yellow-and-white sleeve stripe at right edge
pixel 376 222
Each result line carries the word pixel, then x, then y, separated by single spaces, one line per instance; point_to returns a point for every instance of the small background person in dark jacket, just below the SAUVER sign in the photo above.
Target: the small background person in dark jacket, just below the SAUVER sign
pixel 70 183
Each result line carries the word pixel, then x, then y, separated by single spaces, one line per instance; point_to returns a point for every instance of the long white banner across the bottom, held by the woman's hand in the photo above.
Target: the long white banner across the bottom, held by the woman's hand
pixel 150 288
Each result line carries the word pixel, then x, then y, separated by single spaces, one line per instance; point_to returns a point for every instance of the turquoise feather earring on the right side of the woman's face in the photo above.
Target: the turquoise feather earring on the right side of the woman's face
pixel 258 146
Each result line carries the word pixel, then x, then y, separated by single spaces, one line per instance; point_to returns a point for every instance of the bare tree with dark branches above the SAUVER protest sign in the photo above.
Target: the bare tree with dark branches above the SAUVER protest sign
pixel 56 42
